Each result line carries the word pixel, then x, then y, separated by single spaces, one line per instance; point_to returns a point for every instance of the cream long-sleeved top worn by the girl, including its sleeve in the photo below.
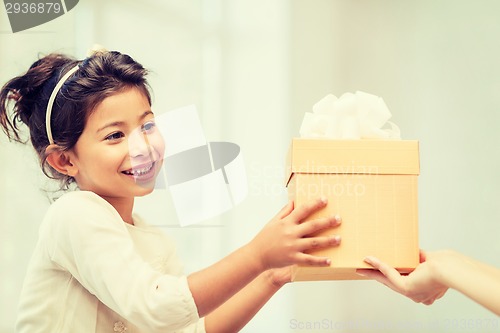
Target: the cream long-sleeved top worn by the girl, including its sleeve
pixel 92 272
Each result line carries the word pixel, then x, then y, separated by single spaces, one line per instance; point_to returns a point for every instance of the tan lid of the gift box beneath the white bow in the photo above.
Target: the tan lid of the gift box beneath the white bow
pixel 369 157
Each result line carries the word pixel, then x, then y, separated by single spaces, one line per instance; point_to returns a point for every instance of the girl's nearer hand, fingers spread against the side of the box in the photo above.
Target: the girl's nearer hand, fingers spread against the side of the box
pixel 289 235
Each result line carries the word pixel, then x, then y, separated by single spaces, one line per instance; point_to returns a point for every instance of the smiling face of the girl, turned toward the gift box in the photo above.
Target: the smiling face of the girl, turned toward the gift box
pixel 120 151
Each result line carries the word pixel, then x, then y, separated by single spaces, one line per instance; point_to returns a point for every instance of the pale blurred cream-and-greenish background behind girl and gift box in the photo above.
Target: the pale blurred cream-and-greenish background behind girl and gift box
pixel 253 68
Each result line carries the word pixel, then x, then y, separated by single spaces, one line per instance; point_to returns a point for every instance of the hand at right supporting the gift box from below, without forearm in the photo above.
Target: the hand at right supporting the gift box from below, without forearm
pixel 421 285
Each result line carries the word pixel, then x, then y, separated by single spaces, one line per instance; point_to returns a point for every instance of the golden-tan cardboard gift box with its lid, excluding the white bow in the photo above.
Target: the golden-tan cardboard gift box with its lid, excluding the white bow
pixel 372 185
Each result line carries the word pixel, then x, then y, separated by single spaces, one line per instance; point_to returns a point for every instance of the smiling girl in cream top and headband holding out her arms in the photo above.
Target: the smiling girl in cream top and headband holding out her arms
pixel 97 266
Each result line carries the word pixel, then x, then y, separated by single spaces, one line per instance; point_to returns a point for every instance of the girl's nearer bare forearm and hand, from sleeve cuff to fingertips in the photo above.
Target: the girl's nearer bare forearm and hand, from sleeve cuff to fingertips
pixel 282 242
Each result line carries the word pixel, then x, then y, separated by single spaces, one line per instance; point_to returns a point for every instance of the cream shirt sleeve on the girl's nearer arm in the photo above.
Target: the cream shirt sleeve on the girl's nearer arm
pixel 88 238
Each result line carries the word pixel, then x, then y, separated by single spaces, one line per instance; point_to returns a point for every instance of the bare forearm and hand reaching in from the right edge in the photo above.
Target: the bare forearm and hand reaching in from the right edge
pixel 439 271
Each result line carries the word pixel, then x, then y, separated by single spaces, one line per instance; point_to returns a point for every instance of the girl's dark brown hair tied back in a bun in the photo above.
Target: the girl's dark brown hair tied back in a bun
pixel 98 76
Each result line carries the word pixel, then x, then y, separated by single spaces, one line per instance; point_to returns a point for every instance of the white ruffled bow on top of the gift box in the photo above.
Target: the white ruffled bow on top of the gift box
pixel 349 117
